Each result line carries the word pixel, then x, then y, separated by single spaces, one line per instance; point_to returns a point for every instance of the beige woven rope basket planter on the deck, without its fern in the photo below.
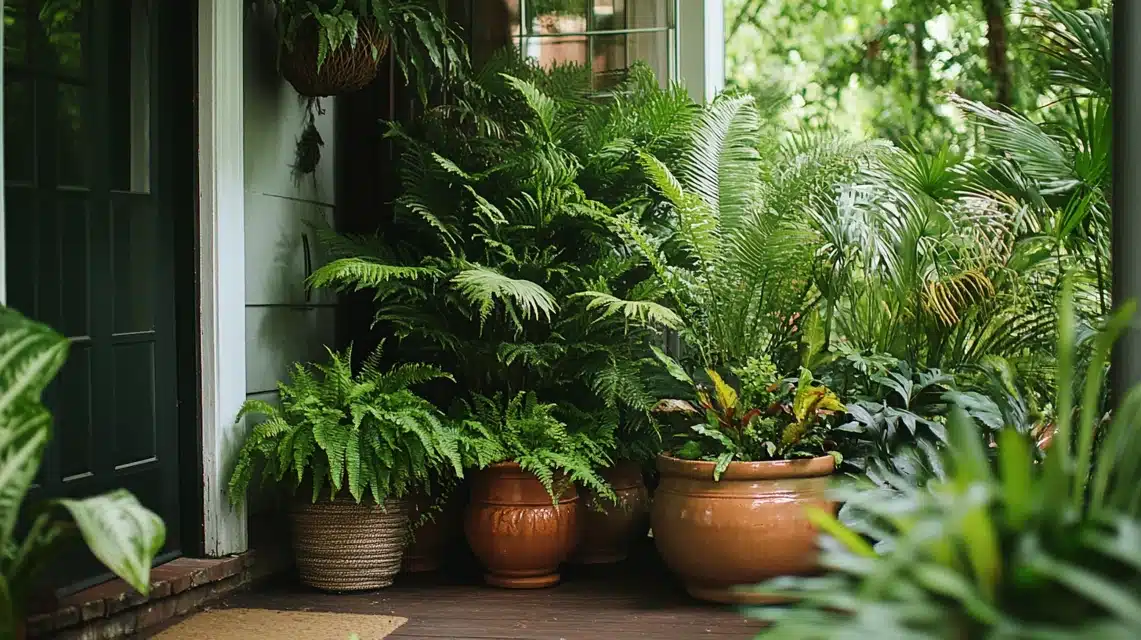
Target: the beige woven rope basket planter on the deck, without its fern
pixel 342 546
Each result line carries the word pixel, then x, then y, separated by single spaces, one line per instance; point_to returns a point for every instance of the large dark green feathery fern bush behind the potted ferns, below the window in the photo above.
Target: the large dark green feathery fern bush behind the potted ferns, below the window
pixel 503 224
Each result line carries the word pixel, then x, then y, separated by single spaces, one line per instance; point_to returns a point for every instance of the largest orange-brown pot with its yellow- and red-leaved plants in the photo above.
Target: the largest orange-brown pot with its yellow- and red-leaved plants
pixel 731 508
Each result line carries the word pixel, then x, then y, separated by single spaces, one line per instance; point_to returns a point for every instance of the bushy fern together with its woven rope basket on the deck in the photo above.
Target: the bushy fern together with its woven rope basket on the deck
pixel 359 444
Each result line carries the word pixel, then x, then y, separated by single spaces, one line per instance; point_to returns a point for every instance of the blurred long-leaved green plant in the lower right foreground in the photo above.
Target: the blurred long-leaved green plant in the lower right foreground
pixel 1029 550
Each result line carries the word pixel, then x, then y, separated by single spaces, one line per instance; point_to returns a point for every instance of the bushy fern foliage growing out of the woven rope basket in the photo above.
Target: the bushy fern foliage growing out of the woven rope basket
pixel 366 433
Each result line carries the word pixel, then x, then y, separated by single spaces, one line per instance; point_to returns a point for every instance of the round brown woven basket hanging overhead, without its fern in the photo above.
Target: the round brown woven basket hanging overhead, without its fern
pixel 346 70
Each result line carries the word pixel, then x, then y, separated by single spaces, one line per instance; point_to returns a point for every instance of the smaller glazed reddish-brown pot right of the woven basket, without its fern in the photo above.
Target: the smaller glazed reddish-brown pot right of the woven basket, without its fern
pixel 516 531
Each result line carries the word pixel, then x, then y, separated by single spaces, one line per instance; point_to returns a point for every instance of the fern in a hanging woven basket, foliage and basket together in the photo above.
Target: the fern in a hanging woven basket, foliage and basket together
pixel 333 47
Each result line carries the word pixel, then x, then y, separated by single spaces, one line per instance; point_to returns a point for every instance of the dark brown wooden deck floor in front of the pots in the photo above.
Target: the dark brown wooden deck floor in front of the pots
pixel 637 600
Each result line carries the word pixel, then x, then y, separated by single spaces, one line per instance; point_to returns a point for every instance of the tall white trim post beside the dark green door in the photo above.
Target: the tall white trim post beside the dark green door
pixel 222 265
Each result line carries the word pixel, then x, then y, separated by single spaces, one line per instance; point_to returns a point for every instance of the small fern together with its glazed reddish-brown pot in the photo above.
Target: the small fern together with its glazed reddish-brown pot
pixel 522 522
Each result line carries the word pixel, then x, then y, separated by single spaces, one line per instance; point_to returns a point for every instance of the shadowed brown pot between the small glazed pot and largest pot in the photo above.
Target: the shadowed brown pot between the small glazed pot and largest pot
pixel 605 529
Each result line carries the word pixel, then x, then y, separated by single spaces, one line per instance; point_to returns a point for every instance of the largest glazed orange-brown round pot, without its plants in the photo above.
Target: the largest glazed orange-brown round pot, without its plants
pixel 749 526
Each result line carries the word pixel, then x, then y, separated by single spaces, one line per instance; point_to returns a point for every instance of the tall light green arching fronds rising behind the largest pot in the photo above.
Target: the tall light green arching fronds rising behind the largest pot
pixel 735 274
